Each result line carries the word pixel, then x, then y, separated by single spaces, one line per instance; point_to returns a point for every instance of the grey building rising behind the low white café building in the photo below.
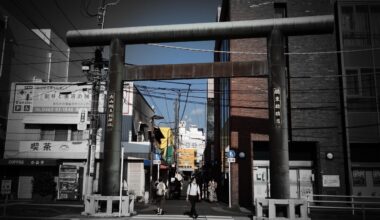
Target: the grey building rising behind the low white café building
pixel 27 54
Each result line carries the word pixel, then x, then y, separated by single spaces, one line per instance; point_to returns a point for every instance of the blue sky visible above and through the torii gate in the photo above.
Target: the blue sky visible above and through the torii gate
pixel 64 15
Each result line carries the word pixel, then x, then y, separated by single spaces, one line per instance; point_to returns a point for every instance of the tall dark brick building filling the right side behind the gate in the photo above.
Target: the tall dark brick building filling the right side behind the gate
pixel 333 103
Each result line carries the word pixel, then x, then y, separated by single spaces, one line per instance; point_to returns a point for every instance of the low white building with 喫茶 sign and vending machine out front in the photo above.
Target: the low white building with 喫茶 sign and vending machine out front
pixel 48 132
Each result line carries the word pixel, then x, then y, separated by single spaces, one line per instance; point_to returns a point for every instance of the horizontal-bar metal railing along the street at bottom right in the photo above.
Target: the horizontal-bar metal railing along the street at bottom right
pixel 342 202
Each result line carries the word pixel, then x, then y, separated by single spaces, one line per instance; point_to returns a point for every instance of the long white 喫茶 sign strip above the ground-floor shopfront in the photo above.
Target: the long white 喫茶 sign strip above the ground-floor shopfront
pixel 53 146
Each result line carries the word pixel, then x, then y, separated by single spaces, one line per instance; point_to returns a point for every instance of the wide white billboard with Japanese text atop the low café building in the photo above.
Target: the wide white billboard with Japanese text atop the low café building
pixel 52 98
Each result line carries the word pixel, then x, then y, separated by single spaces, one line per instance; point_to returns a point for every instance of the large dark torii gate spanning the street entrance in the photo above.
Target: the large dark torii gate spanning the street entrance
pixel 273 29
